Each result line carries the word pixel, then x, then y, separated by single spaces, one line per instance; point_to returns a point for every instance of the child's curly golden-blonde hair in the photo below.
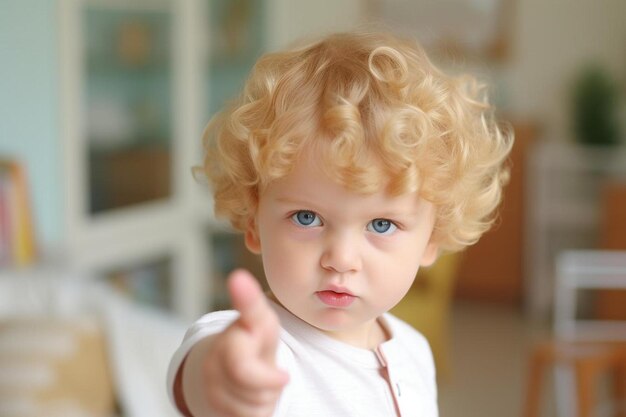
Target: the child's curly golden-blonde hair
pixel 359 97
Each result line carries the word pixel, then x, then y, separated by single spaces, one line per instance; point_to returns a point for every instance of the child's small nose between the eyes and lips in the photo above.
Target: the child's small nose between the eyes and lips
pixel 341 254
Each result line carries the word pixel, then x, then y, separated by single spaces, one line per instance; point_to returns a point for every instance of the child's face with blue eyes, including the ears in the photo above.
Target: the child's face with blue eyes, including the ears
pixel 335 258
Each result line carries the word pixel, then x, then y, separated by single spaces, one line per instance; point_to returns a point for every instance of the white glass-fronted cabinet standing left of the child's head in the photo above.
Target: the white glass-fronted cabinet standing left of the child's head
pixel 132 112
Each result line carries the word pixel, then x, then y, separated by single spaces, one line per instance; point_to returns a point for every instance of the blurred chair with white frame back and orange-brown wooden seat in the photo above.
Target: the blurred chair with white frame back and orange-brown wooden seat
pixel 589 348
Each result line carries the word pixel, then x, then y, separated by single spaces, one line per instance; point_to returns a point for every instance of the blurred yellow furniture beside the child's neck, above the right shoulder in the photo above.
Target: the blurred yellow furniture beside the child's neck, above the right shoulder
pixel 427 307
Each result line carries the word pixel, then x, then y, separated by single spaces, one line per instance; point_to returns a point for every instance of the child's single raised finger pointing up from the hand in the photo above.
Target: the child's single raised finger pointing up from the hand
pixel 256 315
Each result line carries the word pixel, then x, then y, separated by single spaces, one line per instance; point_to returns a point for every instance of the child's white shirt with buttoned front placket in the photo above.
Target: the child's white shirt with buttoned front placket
pixel 331 378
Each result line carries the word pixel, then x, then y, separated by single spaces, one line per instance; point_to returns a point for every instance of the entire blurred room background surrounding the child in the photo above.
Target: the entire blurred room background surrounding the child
pixel 109 248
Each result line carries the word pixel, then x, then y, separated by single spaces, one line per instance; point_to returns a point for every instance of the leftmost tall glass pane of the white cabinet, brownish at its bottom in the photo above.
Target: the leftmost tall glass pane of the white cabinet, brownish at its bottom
pixel 127 97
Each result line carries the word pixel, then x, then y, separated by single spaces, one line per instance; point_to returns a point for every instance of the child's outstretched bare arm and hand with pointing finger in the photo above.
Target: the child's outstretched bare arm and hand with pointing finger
pixel 234 373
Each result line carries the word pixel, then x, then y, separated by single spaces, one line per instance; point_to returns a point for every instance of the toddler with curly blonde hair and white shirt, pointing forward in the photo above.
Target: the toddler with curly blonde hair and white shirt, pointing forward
pixel 347 163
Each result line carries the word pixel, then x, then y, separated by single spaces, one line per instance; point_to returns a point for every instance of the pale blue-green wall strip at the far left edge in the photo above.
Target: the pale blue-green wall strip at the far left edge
pixel 29 119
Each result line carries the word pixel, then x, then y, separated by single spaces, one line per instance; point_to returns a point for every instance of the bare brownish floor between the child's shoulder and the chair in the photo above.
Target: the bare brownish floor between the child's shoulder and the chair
pixel 489 352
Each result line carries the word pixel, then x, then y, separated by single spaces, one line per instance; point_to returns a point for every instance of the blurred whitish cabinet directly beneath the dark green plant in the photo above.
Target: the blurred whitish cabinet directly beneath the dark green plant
pixel 565 185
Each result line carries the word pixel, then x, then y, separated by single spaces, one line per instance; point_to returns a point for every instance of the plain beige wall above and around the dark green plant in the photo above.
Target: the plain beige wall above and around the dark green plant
pixel 552 40
